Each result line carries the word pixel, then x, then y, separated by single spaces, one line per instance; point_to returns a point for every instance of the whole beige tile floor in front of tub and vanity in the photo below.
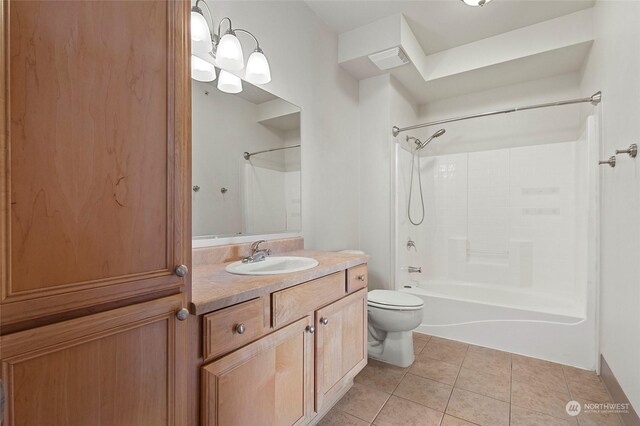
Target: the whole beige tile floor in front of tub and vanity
pixel 454 384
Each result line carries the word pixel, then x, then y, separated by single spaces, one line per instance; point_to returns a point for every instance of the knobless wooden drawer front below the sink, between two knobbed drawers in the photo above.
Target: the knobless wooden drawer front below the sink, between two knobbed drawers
pixel 295 302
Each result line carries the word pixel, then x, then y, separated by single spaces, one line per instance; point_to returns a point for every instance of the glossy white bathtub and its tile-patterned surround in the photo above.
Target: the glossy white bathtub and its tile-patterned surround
pixel 506 249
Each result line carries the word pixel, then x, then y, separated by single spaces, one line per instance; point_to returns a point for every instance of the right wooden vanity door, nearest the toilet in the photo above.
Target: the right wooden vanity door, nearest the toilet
pixel 341 345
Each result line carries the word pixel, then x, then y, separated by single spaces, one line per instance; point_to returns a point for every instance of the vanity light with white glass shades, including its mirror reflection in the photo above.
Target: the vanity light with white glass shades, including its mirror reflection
pixel 210 50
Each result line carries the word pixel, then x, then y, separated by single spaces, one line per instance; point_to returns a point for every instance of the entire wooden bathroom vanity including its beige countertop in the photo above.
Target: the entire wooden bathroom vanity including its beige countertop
pixel 277 349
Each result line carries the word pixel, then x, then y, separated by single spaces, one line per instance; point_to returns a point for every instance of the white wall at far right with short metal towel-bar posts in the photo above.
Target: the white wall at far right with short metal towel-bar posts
pixel 613 68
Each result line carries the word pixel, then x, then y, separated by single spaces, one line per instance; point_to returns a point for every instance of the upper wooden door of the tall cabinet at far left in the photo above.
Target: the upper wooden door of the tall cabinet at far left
pixel 93 191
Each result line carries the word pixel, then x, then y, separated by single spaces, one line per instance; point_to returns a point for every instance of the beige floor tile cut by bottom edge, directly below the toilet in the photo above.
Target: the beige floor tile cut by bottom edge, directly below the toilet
pixel 400 412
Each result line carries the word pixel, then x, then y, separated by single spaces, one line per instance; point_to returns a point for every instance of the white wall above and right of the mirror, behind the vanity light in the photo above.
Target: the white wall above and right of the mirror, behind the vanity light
pixel 302 54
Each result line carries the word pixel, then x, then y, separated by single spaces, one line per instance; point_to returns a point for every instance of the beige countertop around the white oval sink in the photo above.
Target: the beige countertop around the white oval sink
pixel 214 288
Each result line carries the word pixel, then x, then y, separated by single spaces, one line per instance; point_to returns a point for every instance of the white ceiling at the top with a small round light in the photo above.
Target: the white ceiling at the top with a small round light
pixel 443 24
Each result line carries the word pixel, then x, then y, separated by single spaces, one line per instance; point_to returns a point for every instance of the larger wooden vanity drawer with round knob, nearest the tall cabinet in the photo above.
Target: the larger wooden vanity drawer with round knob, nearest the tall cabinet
pixel 229 328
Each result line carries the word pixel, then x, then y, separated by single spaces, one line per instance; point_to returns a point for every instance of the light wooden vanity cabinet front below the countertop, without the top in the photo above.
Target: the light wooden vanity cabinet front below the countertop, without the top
pixel 293 375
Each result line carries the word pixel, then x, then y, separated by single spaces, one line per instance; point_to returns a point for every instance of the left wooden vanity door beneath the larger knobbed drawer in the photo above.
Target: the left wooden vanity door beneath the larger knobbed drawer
pixel 269 382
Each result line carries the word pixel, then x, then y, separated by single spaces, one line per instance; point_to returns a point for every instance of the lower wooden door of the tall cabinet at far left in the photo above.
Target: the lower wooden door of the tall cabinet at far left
pixel 121 367
